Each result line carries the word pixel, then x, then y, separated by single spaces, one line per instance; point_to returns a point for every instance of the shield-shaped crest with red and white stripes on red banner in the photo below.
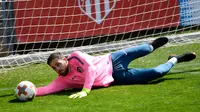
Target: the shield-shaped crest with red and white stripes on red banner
pixel 97 10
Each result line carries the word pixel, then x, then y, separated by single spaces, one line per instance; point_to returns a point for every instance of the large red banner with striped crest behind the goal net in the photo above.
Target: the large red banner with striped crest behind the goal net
pixel 45 20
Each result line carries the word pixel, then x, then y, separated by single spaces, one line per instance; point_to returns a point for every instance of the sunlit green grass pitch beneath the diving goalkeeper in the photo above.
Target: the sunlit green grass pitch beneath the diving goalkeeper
pixel 178 91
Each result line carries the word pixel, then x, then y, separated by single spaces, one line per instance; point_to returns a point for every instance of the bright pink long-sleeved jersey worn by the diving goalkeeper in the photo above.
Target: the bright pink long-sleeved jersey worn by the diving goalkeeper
pixel 85 72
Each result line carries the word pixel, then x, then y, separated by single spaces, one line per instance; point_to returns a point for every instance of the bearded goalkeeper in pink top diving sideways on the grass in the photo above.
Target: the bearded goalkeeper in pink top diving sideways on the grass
pixel 80 70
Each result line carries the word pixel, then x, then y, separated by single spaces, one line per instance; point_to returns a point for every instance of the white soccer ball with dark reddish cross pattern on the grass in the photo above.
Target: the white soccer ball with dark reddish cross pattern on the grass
pixel 25 91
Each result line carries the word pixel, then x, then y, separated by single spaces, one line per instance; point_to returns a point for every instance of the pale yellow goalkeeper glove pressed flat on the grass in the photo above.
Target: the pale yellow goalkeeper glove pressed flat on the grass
pixel 81 94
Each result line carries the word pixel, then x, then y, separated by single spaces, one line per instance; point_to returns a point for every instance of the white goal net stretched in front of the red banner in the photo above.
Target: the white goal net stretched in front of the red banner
pixel 32 29
